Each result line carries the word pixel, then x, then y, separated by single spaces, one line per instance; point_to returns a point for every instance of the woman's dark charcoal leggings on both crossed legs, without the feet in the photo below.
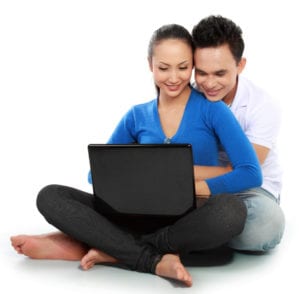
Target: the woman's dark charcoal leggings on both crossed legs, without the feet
pixel 74 213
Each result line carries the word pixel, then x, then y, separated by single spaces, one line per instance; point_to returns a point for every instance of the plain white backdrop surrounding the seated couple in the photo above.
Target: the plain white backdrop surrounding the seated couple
pixel 70 69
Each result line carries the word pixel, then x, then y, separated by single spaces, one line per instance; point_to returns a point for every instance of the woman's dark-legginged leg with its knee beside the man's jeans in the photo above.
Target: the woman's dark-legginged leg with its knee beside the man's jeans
pixel 210 226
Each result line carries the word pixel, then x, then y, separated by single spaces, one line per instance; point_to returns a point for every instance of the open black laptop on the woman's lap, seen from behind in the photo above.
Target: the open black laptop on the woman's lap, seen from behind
pixel 143 180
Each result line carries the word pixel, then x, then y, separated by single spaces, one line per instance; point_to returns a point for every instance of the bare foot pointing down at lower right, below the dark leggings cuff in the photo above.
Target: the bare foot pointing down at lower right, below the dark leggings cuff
pixel 170 266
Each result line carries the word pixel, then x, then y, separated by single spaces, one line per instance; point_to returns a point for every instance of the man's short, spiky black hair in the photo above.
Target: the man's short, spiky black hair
pixel 215 31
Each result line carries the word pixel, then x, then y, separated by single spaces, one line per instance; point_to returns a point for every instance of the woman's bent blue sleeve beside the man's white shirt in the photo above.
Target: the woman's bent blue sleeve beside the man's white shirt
pixel 246 171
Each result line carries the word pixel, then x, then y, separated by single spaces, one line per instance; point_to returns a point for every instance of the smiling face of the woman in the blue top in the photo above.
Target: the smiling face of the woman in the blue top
pixel 172 65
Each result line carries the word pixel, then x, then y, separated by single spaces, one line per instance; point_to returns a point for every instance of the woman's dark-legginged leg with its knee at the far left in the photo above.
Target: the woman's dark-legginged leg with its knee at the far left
pixel 72 212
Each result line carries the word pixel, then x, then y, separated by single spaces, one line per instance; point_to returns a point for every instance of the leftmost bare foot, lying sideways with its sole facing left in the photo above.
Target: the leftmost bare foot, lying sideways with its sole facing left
pixel 49 246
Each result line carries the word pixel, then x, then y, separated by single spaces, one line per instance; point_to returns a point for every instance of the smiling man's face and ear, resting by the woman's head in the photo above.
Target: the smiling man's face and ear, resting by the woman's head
pixel 216 72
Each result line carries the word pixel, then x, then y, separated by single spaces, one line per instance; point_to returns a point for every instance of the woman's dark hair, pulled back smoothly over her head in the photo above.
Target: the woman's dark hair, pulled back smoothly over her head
pixel 171 31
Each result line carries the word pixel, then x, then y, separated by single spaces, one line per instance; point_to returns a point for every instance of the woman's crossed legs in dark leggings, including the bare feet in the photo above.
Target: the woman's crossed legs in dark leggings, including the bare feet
pixel 73 212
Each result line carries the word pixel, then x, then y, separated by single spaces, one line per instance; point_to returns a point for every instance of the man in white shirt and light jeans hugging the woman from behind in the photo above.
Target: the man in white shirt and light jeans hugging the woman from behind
pixel 219 62
